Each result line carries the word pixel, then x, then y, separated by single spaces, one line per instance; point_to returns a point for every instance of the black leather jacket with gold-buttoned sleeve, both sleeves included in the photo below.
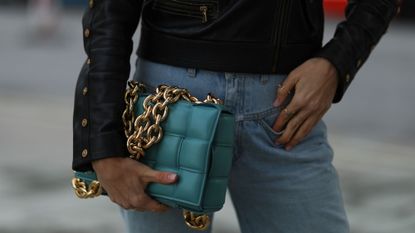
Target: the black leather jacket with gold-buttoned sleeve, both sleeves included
pixel 268 36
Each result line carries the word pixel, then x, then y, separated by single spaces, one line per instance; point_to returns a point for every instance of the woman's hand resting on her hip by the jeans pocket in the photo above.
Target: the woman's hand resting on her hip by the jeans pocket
pixel 314 84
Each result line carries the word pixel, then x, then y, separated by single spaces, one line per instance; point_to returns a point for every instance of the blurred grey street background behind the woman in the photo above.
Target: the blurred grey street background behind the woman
pixel 372 130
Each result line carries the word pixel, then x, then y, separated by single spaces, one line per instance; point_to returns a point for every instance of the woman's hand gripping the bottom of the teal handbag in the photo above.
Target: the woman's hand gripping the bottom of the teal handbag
pixel 125 181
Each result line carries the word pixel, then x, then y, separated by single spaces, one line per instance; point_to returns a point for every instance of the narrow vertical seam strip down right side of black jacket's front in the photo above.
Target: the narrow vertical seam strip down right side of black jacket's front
pixel 282 10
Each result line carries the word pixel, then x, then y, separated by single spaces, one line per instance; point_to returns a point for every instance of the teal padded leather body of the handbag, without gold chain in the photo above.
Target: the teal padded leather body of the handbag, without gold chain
pixel 197 145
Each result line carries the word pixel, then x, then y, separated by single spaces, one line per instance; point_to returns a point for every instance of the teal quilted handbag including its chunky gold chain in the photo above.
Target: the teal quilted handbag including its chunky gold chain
pixel 195 141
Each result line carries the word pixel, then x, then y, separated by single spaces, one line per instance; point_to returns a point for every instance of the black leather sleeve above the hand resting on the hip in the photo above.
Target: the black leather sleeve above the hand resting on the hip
pixel 354 39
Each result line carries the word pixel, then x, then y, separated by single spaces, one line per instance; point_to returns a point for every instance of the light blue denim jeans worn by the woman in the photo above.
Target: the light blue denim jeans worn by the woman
pixel 273 190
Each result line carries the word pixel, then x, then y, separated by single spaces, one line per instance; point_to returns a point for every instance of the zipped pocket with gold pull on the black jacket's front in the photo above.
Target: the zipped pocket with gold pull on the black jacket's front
pixel 204 10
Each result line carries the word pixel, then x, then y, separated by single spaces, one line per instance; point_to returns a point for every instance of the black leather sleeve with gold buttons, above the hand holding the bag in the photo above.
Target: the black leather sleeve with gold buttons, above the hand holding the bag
pixel 108 27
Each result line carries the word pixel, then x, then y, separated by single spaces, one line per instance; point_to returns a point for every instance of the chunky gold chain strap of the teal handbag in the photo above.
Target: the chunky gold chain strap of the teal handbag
pixel 144 131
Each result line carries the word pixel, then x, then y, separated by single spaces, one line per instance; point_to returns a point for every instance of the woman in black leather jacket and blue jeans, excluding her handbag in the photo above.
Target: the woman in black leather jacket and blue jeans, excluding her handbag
pixel 265 60
